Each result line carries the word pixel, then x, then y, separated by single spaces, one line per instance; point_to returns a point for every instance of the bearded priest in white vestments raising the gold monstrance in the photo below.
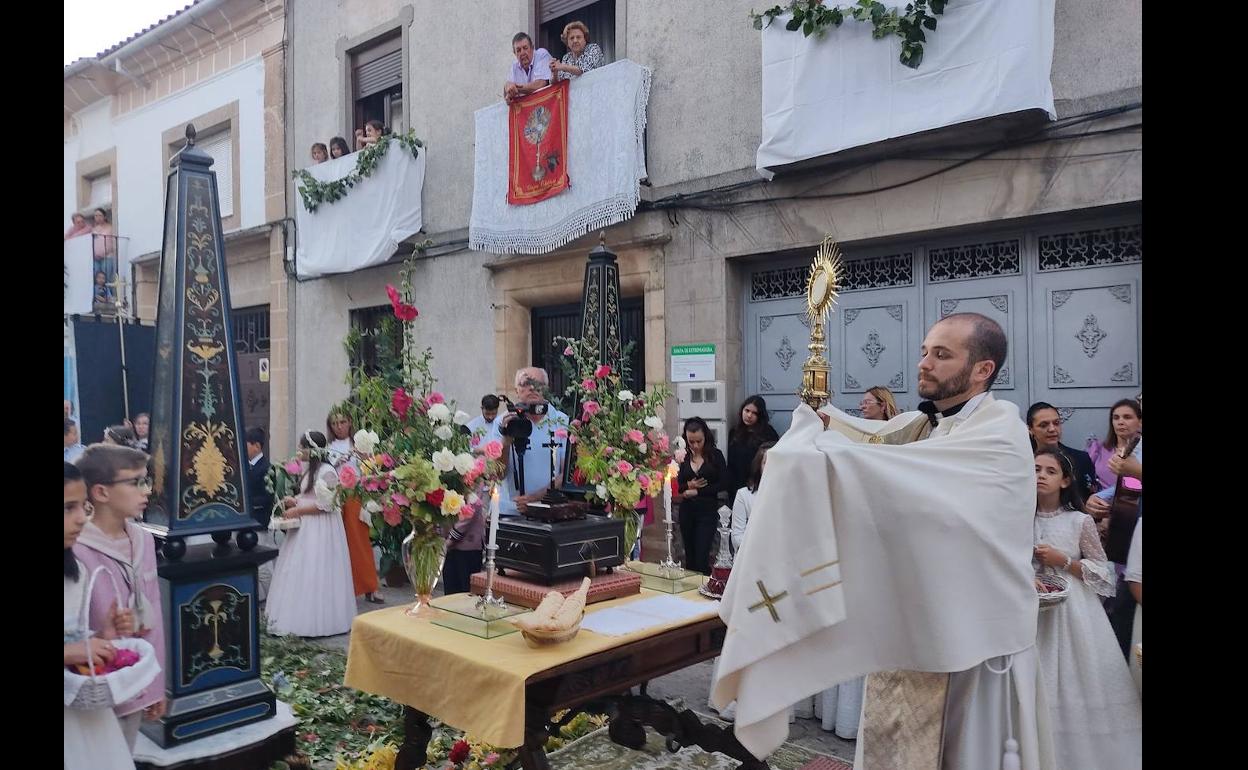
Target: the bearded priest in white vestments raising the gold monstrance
pixel 899 550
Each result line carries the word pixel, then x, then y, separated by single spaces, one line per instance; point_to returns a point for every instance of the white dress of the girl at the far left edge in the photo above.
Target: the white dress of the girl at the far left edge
pixel 93 739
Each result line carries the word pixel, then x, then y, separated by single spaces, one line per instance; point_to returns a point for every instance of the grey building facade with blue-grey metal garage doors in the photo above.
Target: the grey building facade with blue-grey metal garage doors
pixel 1036 224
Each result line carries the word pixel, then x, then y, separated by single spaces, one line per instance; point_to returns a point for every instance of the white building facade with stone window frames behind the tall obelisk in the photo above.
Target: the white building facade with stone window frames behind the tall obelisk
pixel 220 66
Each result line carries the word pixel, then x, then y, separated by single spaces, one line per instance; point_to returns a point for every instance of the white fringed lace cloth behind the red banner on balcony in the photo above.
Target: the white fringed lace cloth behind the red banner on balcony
pixel 606 165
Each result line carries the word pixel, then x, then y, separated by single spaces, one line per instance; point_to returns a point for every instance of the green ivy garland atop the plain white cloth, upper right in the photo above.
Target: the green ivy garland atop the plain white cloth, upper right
pixel 813 18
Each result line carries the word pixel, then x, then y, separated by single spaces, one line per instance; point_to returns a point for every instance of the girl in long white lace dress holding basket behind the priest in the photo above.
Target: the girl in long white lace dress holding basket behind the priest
pixel 1093 701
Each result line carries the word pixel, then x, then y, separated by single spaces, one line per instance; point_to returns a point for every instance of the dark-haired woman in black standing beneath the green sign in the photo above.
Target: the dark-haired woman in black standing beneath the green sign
pixel 700 482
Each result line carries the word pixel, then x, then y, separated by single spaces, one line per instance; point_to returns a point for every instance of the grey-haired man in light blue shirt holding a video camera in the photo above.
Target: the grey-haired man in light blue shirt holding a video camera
pixel 530 385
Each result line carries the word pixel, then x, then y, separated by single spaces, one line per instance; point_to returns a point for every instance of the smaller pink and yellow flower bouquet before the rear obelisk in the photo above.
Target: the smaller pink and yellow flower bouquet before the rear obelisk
pixel 622 450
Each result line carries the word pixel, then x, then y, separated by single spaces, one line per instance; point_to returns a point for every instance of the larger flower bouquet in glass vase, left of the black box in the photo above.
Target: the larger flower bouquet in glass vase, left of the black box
pixel 417 467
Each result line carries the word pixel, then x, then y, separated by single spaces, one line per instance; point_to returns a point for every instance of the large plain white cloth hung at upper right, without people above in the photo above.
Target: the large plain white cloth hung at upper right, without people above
pixel 822 95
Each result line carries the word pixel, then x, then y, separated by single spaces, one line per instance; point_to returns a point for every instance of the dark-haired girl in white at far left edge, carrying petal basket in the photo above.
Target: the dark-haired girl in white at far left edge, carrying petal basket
pixel 93 738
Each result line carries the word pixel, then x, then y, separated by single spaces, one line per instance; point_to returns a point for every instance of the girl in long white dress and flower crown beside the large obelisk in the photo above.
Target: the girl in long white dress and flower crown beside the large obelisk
pixel 311 595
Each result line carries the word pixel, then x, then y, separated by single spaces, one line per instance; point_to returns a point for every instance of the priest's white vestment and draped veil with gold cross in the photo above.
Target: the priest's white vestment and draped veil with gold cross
pixel 875 541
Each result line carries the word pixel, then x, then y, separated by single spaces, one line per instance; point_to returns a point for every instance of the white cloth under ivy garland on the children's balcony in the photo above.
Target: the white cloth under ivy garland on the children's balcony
pixel 366 227
